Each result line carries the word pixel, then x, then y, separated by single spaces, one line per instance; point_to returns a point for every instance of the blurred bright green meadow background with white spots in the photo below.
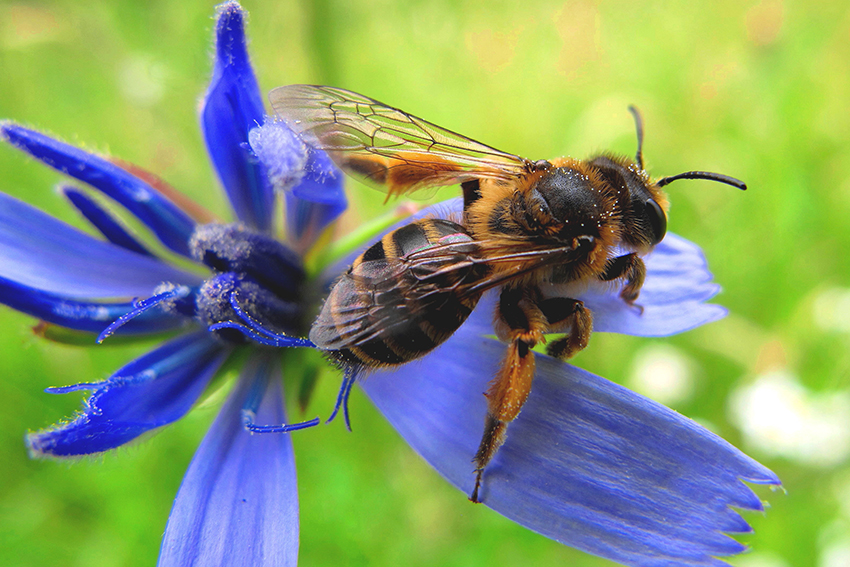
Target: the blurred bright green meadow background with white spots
pixel 754 89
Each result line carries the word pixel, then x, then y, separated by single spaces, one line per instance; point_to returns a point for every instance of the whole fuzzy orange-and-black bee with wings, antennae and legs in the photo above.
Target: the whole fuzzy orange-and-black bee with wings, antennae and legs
pixel 538 231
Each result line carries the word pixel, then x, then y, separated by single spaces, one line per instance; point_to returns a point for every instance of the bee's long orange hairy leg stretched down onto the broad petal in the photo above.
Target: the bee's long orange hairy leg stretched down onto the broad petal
pixel 520 322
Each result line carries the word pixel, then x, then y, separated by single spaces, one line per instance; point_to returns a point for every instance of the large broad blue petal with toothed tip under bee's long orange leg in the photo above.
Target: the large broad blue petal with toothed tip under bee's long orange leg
pixel 587 463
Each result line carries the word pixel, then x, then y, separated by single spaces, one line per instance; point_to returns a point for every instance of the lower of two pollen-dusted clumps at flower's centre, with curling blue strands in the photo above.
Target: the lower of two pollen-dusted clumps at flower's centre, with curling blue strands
pixel 259 314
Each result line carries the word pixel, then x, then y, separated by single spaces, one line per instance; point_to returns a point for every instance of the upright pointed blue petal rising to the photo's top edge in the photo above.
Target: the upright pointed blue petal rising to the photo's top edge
pixel 231 108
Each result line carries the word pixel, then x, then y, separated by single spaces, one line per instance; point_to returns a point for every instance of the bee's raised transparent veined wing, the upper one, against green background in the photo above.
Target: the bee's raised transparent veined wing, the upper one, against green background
pixel 385 147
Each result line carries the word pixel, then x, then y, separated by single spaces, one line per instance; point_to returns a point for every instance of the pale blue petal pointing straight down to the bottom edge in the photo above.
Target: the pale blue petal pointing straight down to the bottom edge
pixel 238 504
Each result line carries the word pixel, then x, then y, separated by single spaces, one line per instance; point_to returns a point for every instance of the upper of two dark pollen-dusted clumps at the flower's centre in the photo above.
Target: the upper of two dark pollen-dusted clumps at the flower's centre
pixel 232 248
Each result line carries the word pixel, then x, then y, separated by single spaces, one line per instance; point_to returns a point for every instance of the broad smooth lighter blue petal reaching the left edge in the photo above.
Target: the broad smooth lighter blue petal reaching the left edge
pixel 39 251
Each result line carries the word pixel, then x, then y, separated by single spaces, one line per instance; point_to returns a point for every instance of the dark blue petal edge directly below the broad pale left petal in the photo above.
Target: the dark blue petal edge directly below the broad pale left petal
pixel 89 316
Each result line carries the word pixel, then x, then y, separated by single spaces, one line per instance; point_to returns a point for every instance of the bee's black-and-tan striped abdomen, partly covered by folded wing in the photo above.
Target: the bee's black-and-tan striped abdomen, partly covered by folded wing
pixel 402 297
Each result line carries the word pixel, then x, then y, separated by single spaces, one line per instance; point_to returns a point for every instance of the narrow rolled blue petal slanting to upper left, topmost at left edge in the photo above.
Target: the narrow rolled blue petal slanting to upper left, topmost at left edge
pixel 165 219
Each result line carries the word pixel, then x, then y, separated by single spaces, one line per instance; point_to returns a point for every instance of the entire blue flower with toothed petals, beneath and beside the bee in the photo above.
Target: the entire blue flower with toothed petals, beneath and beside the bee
pixel 587 463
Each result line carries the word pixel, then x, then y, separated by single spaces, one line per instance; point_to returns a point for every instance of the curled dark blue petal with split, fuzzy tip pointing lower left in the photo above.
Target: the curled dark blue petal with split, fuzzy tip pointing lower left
pixel 153 390
